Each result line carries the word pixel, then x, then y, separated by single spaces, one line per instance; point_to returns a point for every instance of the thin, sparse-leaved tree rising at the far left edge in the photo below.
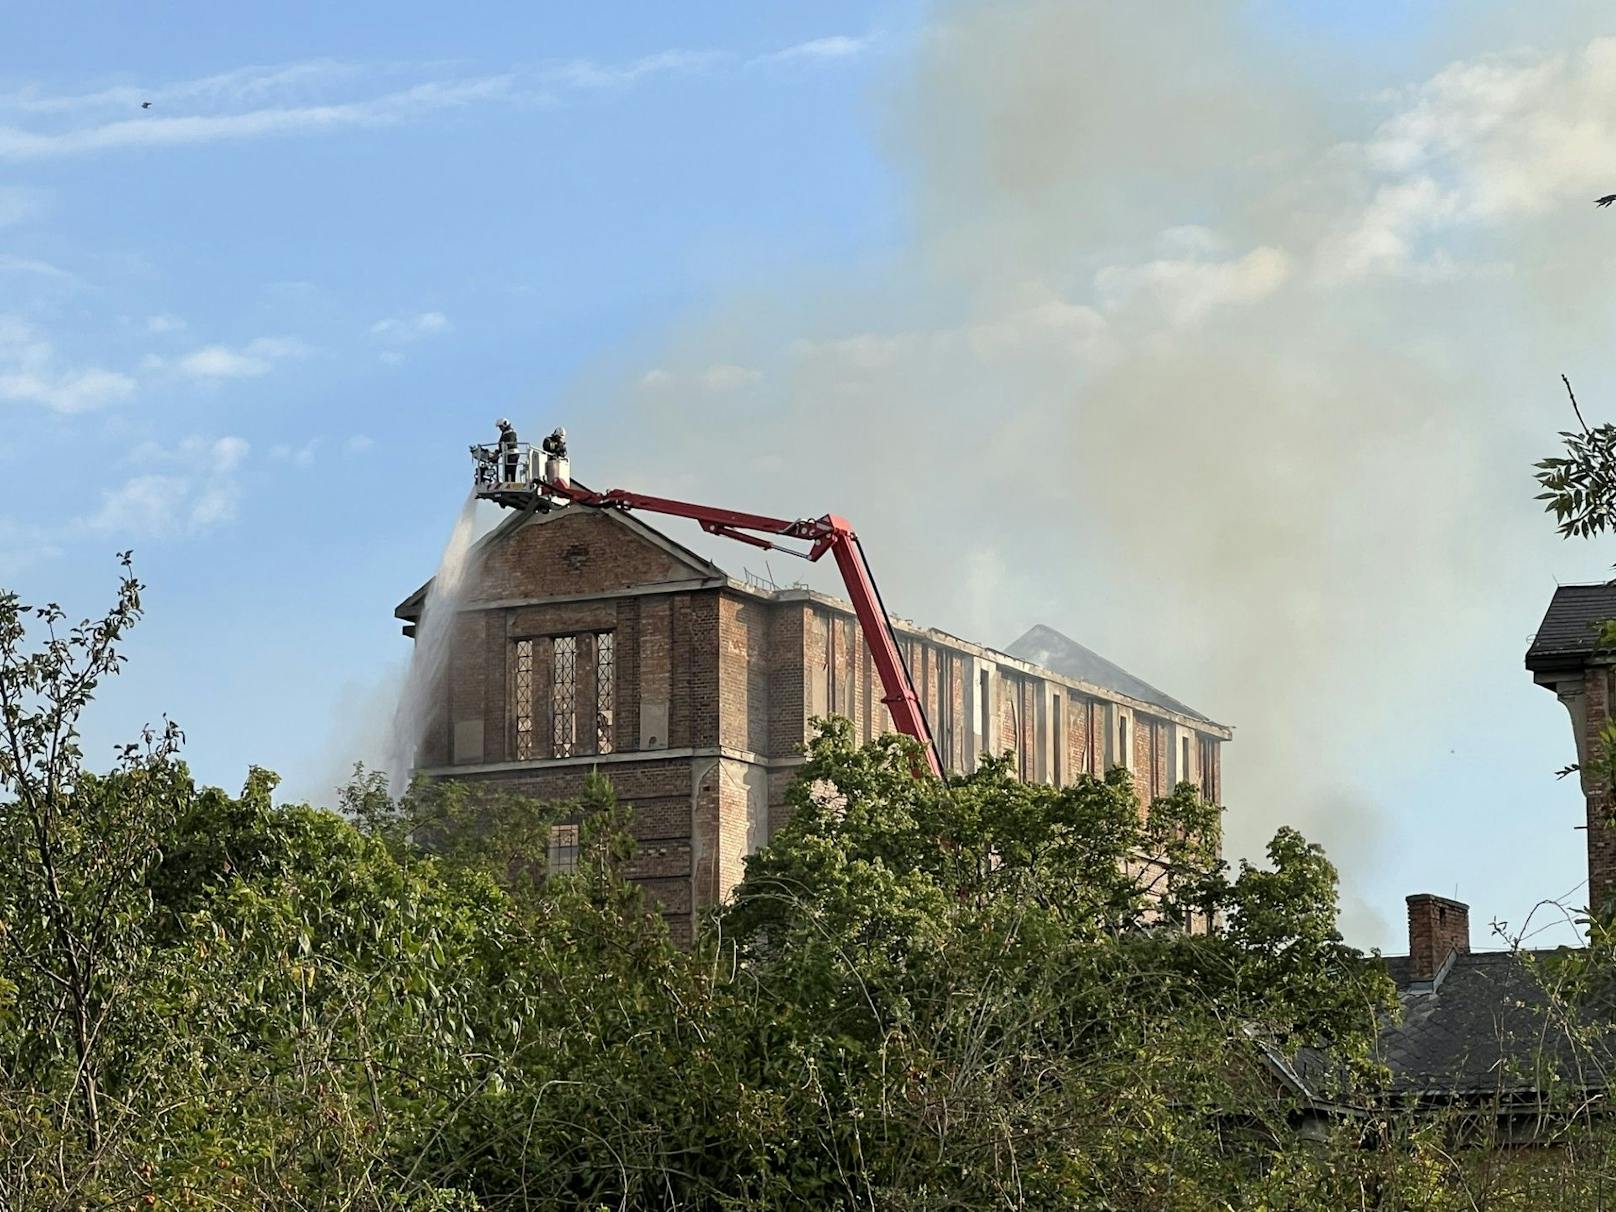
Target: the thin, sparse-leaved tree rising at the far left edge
pixel 75 849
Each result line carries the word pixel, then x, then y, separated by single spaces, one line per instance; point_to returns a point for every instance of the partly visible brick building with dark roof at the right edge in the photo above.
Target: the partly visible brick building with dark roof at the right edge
pixel 1567 657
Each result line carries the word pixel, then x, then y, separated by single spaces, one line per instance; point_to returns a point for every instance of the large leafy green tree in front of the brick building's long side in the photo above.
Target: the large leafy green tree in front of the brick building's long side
pixel 993 998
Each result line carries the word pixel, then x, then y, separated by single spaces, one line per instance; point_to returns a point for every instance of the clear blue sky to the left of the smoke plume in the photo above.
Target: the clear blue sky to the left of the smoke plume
pixel 355 298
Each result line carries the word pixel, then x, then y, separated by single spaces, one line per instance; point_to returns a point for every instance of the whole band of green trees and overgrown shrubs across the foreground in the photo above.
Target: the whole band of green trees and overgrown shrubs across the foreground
pixel 978 995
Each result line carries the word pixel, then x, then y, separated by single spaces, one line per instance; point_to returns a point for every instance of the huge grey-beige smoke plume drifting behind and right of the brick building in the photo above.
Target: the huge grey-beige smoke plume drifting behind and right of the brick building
pixel 1227 369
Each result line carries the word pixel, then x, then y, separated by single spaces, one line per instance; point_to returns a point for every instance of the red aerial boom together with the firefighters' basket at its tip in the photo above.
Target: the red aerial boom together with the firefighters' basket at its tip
pixel 830 534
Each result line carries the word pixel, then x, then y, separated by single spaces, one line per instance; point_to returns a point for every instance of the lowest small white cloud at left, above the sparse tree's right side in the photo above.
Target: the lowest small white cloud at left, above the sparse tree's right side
pixel 196 492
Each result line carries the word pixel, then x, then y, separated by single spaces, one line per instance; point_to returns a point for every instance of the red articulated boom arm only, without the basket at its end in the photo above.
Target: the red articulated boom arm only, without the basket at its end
pixel 828 534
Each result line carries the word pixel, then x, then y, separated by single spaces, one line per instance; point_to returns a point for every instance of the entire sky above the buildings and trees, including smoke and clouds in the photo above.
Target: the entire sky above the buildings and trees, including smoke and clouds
pixel 1219 342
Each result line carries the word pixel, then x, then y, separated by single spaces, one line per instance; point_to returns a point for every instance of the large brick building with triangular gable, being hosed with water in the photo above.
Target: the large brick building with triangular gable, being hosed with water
pixel 591 641
